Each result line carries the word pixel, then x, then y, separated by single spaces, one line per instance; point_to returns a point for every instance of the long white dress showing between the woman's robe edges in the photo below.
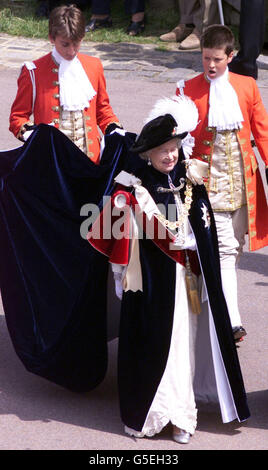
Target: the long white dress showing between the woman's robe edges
pixel 174 400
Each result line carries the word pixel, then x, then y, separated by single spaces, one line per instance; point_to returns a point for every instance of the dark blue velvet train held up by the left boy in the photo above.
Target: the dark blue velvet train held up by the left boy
pixel 53 284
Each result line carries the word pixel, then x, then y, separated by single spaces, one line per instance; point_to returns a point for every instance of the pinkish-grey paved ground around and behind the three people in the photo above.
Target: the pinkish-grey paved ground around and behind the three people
pixel 38 415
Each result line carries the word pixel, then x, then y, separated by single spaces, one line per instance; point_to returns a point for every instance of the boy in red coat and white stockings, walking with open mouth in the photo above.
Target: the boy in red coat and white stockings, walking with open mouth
pixel 230 109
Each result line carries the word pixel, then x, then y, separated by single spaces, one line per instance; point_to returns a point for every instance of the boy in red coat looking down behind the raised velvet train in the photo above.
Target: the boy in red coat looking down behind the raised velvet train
pixel 65 88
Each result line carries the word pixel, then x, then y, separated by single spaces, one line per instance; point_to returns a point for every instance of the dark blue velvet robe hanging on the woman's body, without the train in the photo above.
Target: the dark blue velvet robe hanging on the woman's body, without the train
pixel 147 316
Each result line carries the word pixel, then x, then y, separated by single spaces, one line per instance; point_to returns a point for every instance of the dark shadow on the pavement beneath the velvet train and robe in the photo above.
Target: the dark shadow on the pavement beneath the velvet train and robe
pixel 32 398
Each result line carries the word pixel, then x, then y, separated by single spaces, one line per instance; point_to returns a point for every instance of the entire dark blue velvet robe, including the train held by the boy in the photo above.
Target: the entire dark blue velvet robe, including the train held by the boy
pixel 53 283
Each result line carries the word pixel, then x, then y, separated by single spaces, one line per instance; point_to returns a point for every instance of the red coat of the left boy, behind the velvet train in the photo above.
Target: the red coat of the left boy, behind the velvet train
pixel 47 106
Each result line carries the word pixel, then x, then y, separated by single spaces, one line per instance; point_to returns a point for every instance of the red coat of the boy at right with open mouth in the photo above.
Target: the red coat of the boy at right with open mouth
pixel 255 122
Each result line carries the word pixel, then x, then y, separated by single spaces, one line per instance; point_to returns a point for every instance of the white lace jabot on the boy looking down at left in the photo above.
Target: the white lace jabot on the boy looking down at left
pixel 75 88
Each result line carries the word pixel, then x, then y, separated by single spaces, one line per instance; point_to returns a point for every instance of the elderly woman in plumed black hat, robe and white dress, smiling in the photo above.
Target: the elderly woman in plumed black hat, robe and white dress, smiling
pixel 166 268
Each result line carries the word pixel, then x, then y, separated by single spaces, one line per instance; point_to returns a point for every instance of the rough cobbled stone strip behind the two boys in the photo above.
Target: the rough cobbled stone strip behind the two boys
pixel 122 60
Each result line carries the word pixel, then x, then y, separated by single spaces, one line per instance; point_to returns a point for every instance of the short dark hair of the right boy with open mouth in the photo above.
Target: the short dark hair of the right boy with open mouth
pixel 218 36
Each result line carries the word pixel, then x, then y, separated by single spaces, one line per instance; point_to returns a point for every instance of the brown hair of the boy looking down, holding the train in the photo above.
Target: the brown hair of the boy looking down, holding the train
pixel 67 21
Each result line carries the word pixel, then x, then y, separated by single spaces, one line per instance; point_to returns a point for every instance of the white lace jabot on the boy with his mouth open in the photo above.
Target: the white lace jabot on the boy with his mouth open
pixel 224 109
